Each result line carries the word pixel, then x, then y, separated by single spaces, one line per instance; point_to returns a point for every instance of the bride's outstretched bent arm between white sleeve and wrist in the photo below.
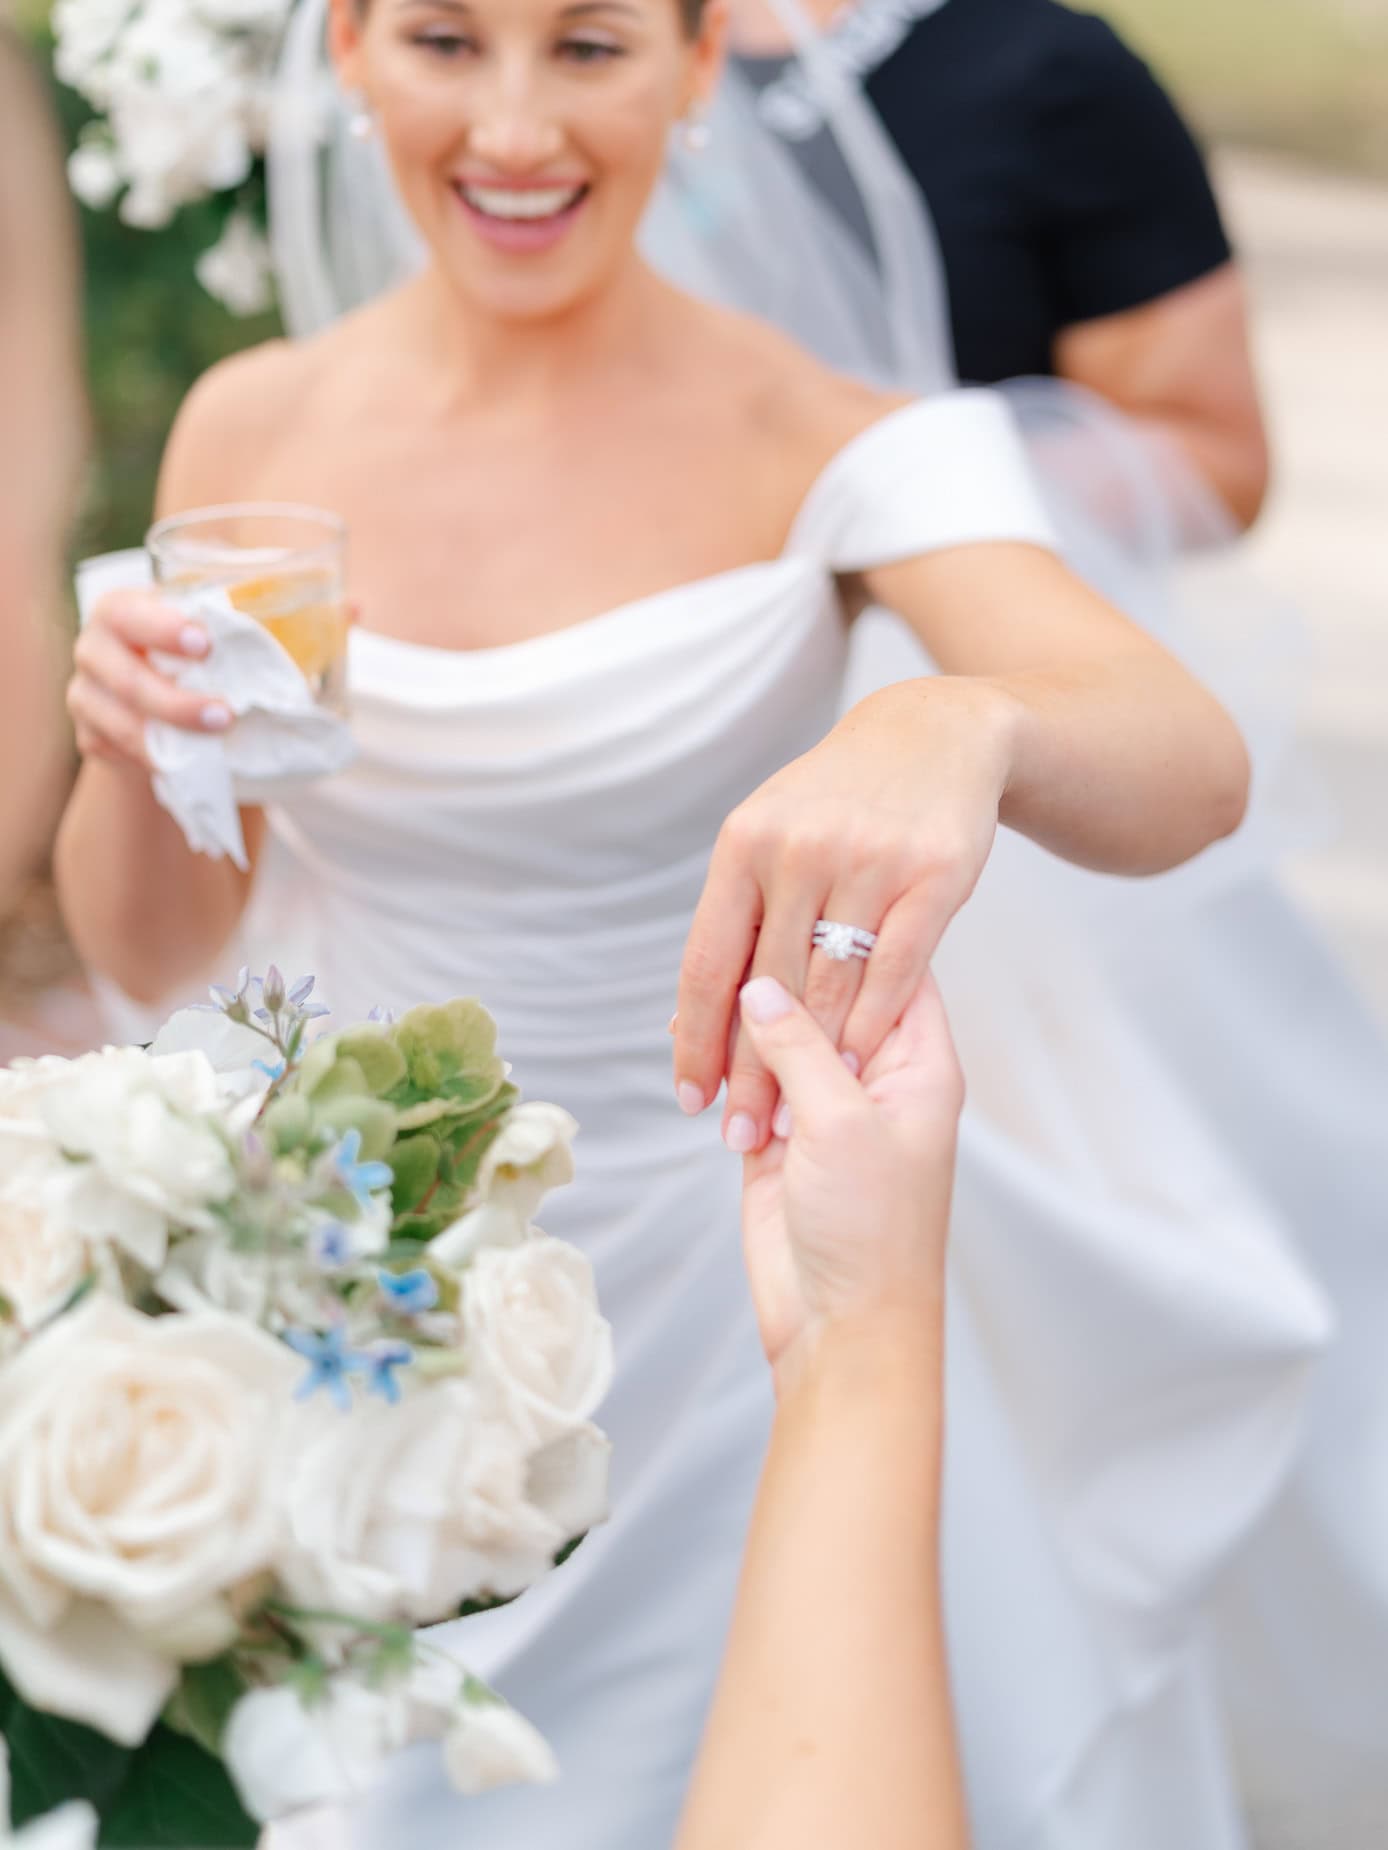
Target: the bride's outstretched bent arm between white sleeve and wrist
pixel 1109 752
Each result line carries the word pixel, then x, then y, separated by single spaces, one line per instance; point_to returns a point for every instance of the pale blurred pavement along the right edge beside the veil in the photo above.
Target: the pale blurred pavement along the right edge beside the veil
pixel 1317 256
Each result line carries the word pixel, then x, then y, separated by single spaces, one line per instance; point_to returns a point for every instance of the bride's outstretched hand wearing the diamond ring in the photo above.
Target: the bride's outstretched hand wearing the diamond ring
pixel 886 826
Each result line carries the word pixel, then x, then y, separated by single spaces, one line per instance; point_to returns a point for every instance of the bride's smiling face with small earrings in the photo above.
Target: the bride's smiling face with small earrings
pixel 527 136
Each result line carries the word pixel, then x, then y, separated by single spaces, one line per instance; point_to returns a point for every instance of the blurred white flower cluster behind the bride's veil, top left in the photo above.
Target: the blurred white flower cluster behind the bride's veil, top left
pixel 180 90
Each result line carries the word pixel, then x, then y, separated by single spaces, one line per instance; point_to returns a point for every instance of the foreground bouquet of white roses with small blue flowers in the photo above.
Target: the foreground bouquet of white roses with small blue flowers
pixel 286 1372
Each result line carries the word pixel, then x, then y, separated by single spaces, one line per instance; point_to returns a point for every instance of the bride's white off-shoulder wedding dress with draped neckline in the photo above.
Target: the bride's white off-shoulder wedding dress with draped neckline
pixel 1132 1344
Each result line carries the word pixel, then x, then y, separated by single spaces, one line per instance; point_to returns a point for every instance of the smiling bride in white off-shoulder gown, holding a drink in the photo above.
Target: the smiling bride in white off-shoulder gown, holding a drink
pixel 606 541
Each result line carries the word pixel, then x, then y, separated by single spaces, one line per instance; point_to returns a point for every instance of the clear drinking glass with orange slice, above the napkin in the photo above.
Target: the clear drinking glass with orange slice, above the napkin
pixel 279 563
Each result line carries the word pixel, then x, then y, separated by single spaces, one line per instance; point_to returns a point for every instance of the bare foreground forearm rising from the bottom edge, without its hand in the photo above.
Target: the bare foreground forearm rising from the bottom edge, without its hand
pixel 832 1723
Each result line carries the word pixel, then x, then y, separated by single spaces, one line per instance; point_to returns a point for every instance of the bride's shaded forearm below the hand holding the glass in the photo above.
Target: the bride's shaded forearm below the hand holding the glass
pixel 140 906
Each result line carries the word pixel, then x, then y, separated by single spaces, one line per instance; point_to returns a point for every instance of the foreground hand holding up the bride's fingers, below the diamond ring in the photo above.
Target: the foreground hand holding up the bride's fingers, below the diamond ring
pixel 849 1216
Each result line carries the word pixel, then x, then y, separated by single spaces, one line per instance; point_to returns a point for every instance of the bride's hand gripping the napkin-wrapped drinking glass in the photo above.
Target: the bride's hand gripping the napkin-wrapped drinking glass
pixel 116 689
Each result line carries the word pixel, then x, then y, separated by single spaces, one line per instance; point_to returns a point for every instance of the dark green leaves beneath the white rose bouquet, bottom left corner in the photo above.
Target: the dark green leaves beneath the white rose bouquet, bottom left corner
pixel 164 1795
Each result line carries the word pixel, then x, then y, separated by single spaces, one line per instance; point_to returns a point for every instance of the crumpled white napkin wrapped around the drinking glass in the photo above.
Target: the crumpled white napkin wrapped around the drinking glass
pixel 280 735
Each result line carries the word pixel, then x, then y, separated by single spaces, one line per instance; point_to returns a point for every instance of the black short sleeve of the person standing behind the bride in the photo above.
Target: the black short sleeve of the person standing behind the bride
pixel 1124 204
